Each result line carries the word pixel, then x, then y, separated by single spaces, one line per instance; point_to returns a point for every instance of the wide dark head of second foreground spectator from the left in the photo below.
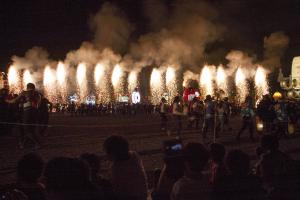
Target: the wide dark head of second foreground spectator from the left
pixel 63 174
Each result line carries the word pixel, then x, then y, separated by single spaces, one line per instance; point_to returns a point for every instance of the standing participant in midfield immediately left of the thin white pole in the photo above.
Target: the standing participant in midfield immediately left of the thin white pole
pixel 209 111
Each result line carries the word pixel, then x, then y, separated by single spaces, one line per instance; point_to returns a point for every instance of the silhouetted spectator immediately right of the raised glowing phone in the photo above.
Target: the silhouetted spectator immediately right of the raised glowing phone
pixel 193 185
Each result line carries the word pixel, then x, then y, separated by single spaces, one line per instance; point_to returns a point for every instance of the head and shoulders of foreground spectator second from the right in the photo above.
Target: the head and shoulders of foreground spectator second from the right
pixel 239 184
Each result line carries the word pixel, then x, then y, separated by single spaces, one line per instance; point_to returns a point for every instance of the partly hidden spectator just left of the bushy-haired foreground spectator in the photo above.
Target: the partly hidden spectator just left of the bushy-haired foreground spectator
pixel 94 163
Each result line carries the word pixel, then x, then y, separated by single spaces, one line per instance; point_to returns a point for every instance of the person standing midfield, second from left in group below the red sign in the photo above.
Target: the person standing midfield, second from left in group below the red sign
pixel 177 112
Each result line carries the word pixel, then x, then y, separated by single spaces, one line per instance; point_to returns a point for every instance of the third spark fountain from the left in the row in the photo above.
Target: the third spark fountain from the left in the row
pixel 49 84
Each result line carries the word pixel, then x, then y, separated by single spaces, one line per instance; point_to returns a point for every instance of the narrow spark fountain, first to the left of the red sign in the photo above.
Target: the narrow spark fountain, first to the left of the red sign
pixel 171 83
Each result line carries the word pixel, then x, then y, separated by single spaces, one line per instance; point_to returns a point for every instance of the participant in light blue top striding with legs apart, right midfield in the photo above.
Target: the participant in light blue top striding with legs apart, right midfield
pixel 247 114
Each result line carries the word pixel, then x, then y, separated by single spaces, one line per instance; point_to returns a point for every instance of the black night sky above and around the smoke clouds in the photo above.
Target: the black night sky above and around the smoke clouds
pixel 62 25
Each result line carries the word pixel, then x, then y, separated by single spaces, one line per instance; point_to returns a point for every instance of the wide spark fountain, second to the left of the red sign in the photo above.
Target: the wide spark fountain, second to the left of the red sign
pixel 156 86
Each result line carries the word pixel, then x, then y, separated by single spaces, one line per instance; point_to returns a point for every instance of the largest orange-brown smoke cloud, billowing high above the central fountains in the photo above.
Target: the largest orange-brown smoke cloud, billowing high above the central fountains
pixel 190 27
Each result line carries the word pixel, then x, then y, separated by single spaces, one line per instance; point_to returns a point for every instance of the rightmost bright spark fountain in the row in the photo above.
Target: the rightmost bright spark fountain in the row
pixel 261 83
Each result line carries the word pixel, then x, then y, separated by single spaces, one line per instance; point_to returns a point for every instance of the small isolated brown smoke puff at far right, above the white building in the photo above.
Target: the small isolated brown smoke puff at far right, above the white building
pixel 275 46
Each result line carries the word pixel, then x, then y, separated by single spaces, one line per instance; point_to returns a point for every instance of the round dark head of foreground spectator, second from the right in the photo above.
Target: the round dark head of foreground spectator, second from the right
pixel 238 163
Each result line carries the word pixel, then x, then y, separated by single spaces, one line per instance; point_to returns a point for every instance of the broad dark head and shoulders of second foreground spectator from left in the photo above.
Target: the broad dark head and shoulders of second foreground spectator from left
pixel 69 179
